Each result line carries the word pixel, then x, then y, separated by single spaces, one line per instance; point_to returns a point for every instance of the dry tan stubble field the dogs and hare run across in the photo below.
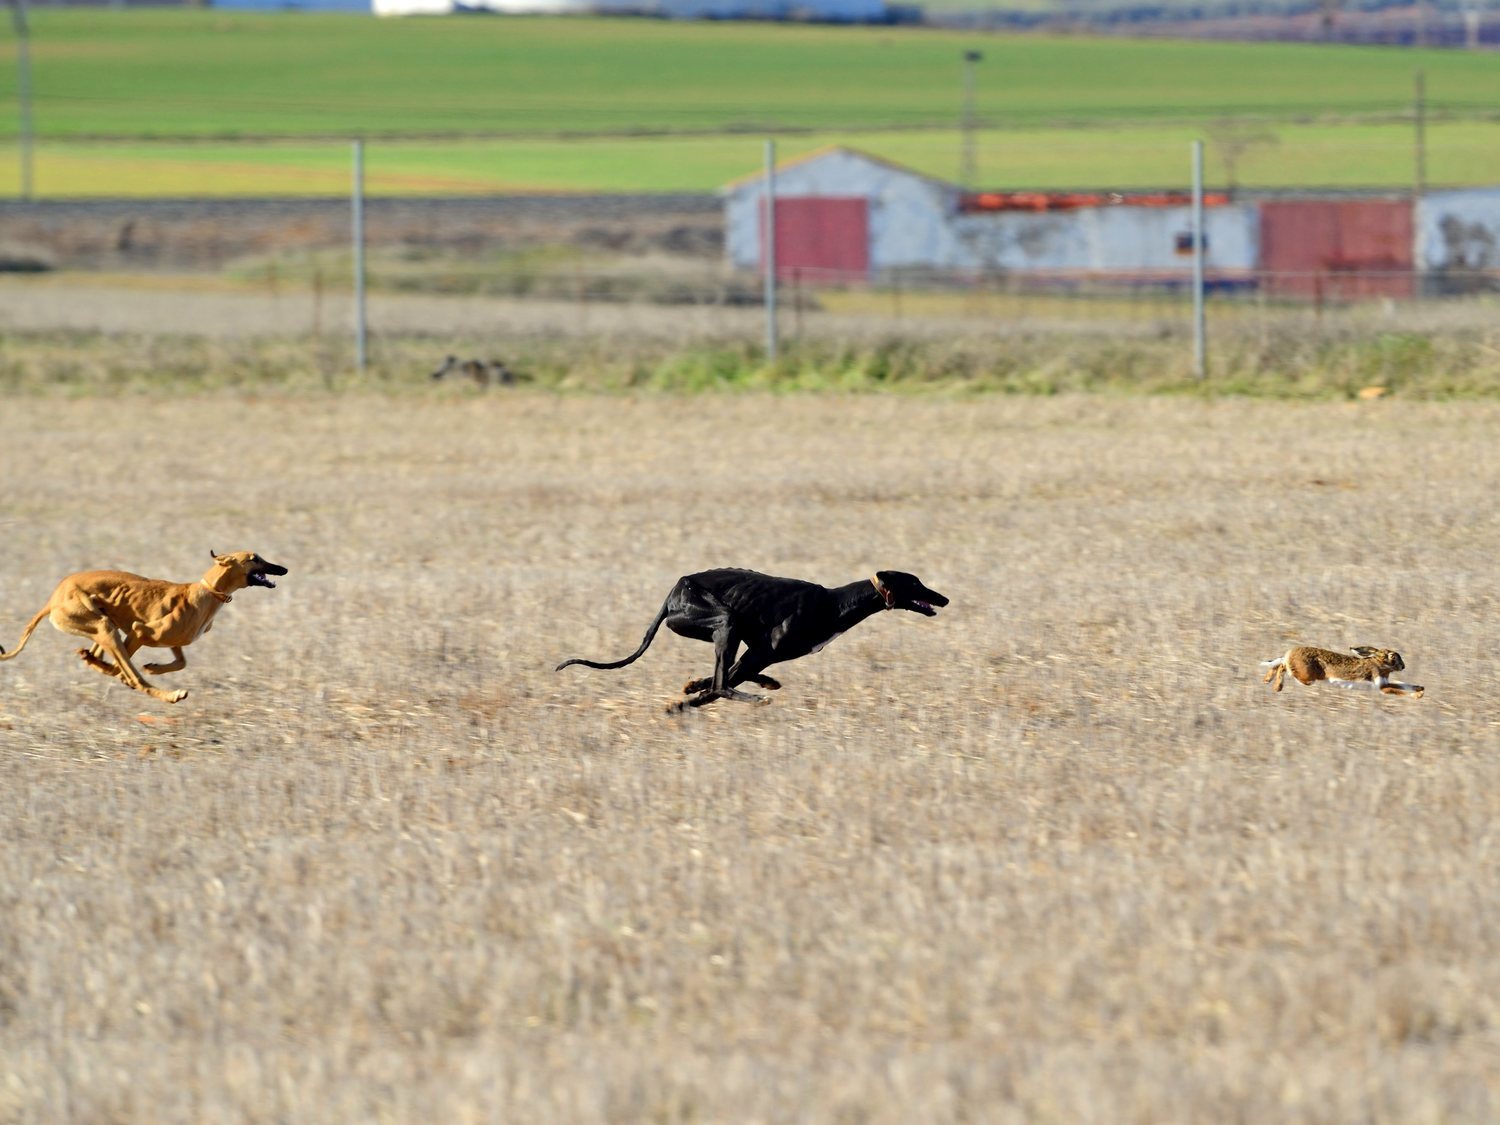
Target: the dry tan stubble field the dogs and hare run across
pixel 1054 856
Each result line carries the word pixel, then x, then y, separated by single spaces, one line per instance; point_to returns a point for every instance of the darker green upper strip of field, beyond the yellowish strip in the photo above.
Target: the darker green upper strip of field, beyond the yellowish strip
pixel 208 74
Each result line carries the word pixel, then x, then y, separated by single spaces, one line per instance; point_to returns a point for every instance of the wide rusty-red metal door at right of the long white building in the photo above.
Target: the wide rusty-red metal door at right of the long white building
pixel 1337 250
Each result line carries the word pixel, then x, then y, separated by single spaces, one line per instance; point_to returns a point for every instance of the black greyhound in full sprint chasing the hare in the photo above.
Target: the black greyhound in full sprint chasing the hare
pixel 776 619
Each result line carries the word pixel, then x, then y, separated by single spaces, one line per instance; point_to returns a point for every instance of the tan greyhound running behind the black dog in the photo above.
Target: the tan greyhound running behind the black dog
pixel 121 613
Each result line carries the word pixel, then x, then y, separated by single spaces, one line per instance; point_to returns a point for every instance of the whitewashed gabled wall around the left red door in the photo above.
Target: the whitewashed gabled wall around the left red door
pixel 910 214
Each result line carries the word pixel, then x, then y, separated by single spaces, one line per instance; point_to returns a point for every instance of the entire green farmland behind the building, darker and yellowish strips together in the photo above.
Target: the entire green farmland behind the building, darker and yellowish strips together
pixel 518 104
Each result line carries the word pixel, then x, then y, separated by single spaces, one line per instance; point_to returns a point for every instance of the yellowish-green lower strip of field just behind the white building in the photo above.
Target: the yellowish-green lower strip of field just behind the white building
pixel 1355 155
